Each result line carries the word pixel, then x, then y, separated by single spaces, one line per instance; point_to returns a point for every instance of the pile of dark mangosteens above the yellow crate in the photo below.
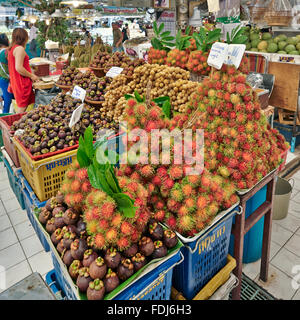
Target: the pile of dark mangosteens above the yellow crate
pixel 46 128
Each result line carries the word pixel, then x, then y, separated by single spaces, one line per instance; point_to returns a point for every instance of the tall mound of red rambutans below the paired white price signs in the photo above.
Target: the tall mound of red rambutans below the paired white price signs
pixel 240 145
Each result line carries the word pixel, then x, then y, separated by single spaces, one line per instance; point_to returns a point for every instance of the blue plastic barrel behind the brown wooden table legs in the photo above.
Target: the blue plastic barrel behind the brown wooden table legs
pixel 253 239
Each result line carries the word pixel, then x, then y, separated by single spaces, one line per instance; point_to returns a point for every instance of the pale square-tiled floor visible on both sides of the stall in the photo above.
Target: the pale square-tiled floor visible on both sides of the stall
pixel 21 252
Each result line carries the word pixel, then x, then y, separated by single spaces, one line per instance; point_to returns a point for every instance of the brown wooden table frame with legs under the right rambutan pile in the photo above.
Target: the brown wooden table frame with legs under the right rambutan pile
pixel 243 225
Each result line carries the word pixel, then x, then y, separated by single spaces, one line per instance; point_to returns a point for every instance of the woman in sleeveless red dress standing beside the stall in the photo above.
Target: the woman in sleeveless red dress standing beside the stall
pixel 21 76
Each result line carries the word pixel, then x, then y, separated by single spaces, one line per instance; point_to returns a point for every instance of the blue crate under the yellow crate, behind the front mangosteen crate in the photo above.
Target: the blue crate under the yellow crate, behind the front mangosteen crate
pixel 31 201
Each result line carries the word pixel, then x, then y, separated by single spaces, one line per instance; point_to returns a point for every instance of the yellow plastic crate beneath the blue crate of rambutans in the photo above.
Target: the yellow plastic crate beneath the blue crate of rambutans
pixel 213 285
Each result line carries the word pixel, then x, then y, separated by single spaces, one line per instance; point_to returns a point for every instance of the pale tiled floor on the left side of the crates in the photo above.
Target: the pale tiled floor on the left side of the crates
pixel 21 252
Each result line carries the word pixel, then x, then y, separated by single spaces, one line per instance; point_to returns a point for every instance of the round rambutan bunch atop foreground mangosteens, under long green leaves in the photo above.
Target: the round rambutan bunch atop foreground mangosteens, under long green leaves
pixel 108 226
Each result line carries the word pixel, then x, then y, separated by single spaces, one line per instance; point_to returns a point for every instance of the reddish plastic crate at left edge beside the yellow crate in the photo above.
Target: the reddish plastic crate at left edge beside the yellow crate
pixel 7 136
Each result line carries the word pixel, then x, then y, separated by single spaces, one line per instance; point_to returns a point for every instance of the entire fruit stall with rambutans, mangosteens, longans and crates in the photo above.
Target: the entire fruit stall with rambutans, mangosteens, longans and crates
pixel 122 223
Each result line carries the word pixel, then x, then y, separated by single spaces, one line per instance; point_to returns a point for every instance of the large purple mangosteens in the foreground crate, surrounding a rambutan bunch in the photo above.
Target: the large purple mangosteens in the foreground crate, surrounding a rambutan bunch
pixel 98 272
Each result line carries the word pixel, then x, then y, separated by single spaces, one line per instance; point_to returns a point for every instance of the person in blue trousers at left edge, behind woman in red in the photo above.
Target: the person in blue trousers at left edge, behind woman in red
pixel 4 74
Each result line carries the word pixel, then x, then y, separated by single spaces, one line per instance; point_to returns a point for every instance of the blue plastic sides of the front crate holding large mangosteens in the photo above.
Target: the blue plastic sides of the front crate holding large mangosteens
pixel 155 285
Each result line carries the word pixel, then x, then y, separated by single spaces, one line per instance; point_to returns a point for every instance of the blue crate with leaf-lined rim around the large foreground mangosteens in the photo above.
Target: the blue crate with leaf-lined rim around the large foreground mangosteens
pixel 126 290
